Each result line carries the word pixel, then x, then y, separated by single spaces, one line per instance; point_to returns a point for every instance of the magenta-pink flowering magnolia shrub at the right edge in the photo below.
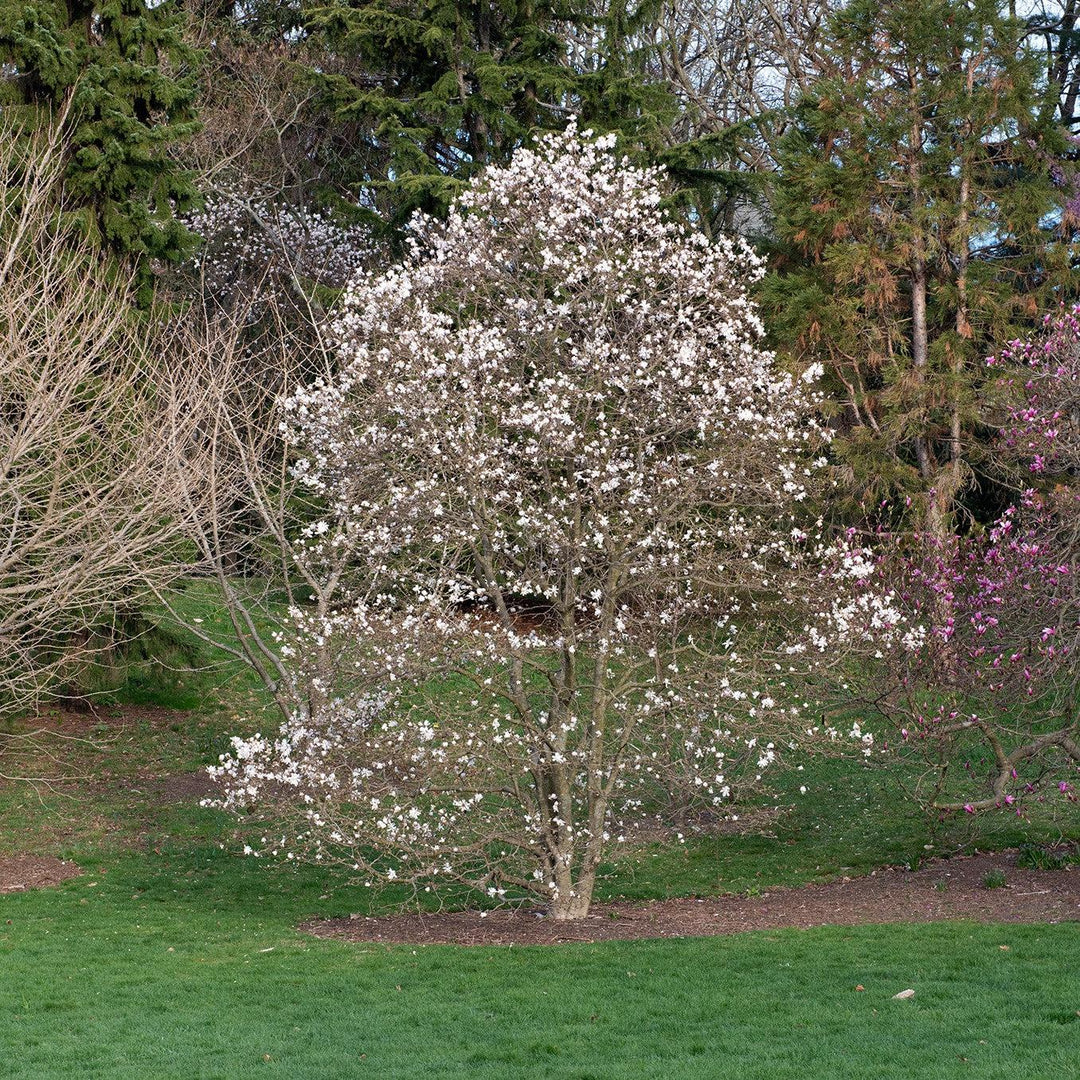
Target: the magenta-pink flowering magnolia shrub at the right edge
pixel 975 663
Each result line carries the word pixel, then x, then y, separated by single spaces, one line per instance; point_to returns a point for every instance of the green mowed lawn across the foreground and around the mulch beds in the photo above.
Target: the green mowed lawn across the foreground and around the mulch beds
pixel 173 956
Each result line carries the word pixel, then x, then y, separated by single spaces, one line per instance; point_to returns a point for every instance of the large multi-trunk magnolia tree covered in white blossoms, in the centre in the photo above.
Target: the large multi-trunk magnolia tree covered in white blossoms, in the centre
pixel 561 465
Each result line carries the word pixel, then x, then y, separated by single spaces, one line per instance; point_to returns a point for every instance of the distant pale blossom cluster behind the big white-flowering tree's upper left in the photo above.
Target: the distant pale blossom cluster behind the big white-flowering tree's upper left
pixel 251 240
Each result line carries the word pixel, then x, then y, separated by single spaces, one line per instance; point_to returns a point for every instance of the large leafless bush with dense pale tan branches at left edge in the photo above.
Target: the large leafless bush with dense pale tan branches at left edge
pixel 87 421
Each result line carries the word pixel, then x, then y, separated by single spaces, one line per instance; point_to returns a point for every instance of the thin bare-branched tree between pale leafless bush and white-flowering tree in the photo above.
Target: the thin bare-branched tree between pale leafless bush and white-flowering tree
pixel 244 509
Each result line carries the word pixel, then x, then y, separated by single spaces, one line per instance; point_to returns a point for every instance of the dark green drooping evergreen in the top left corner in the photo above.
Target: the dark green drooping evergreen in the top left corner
pixel 121 72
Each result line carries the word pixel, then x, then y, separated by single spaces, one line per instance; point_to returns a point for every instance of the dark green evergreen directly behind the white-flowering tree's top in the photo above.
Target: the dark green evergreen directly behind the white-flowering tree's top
pixel 428 92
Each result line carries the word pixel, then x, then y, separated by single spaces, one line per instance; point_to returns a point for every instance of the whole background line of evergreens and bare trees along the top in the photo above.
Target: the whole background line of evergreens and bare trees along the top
pixel 910 170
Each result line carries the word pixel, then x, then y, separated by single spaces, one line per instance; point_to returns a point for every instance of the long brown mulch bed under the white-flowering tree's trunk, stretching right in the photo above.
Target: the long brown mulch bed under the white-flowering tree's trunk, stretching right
pixel 946 889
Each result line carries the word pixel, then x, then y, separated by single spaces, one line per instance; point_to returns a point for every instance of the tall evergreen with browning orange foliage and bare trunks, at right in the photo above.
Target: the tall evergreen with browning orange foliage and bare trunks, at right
pixel 916 215
